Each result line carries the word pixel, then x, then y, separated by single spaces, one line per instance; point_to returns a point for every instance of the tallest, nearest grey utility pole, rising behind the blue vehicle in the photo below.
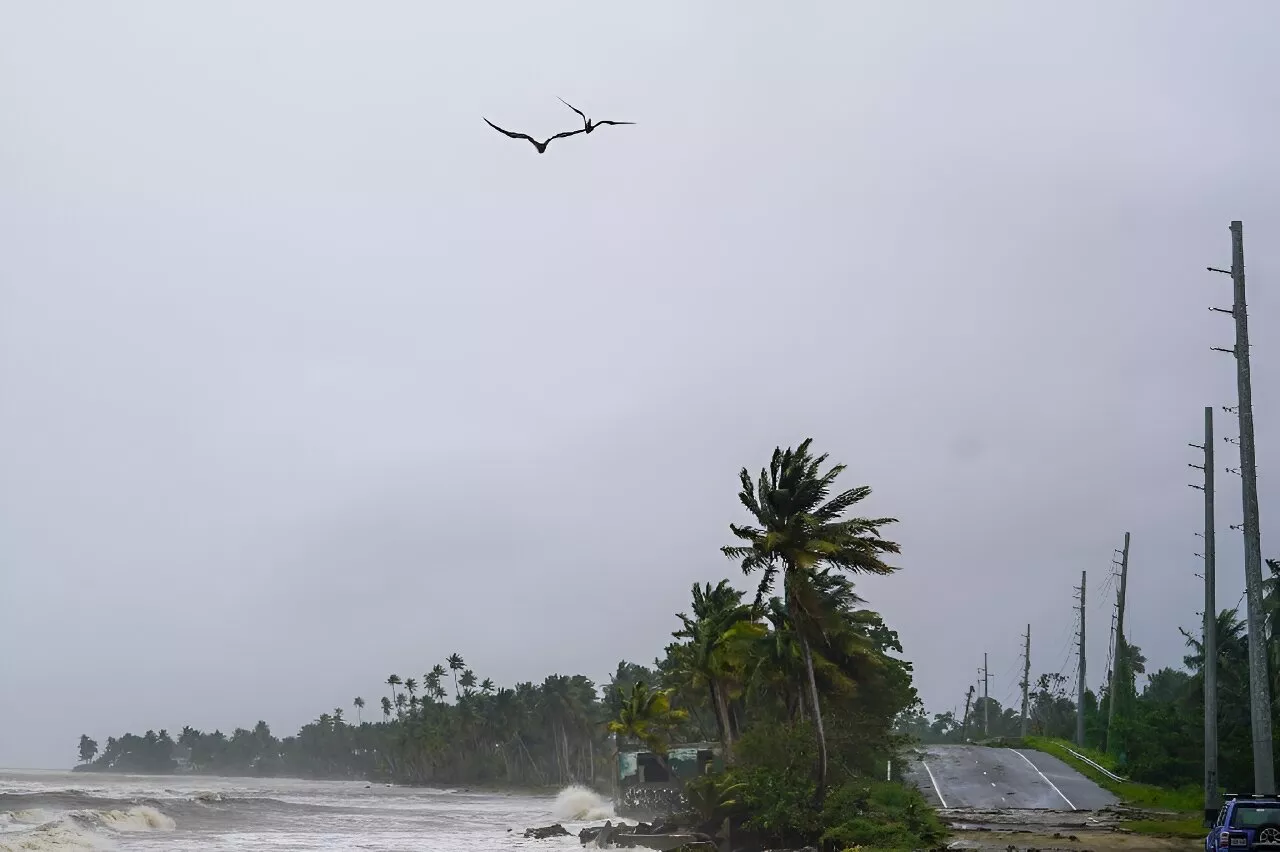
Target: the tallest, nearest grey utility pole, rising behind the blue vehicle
pixel 1260 691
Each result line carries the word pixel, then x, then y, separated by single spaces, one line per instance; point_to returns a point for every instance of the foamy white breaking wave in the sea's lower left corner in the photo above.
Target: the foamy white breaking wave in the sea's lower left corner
pixel 81 830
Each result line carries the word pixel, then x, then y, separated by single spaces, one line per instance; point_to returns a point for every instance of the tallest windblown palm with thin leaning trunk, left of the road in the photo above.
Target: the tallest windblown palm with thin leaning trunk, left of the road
pixel 801 530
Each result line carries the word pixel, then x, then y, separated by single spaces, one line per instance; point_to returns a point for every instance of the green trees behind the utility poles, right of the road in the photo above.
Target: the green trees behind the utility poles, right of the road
pixel 1159 731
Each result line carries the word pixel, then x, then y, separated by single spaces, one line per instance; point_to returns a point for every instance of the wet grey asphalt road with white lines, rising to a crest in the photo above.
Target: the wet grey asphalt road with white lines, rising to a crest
pixel 991 778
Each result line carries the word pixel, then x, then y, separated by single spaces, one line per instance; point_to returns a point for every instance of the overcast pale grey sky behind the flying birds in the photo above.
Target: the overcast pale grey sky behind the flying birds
pixel 309 377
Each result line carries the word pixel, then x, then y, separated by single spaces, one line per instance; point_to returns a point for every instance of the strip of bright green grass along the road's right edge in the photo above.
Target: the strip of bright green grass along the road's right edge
pixel 1183 807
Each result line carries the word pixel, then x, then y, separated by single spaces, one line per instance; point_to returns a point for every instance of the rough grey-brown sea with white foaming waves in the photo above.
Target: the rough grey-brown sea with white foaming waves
pixel 63 812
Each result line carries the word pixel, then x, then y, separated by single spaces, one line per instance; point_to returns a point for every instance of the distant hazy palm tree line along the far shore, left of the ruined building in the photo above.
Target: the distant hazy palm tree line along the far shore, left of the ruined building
pixel 447 727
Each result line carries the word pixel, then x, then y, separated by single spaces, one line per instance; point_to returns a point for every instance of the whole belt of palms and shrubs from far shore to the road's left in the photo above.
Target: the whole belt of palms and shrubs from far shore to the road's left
pixel 801 685
